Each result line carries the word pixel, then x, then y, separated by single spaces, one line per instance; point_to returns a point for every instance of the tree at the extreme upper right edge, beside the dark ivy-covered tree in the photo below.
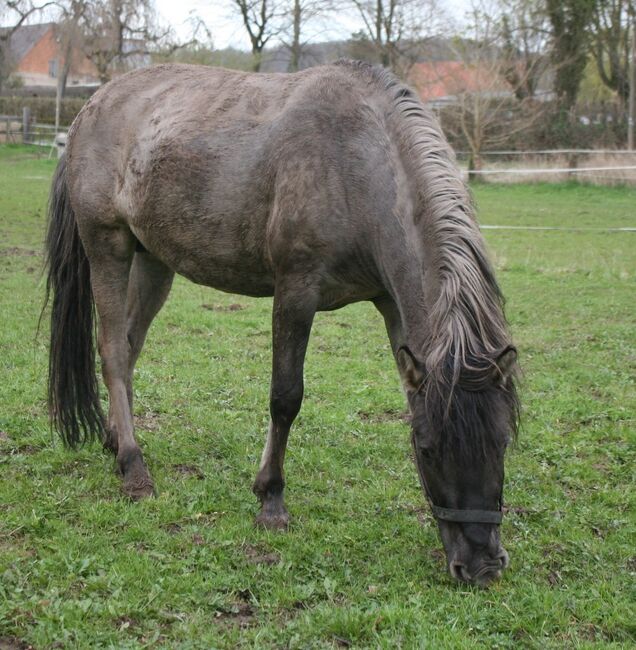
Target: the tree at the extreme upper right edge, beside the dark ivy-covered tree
pixel 610 43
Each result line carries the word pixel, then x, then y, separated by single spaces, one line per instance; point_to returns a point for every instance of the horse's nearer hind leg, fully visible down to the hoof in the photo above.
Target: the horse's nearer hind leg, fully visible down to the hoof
pixel 110 252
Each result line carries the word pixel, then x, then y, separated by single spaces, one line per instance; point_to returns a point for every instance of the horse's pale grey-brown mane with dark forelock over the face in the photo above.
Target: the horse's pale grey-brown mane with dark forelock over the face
pixel 468 331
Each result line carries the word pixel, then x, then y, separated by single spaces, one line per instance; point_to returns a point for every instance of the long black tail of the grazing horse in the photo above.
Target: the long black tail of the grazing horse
pixel 73 394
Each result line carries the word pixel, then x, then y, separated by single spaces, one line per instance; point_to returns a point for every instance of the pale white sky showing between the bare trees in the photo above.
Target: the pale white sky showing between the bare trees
pixel 227 29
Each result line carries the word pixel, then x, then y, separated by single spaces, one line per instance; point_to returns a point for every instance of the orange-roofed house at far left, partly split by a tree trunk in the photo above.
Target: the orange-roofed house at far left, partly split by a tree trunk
pixel 34 54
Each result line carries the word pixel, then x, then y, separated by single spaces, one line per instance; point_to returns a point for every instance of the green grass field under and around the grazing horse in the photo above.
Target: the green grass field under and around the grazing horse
pixel 362 565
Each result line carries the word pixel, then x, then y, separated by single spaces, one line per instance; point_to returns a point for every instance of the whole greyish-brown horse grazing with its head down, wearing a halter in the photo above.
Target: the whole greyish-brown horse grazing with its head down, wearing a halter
pixel 319 188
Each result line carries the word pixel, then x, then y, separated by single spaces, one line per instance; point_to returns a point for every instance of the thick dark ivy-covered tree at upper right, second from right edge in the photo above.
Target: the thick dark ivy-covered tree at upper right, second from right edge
pixel 570 21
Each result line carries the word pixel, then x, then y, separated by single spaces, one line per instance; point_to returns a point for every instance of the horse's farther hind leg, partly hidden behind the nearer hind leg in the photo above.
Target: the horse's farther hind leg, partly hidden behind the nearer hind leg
pixel 149 284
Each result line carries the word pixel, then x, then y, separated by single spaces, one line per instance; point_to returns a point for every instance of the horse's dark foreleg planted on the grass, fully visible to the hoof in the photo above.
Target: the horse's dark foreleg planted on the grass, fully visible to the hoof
pixel 292 318
